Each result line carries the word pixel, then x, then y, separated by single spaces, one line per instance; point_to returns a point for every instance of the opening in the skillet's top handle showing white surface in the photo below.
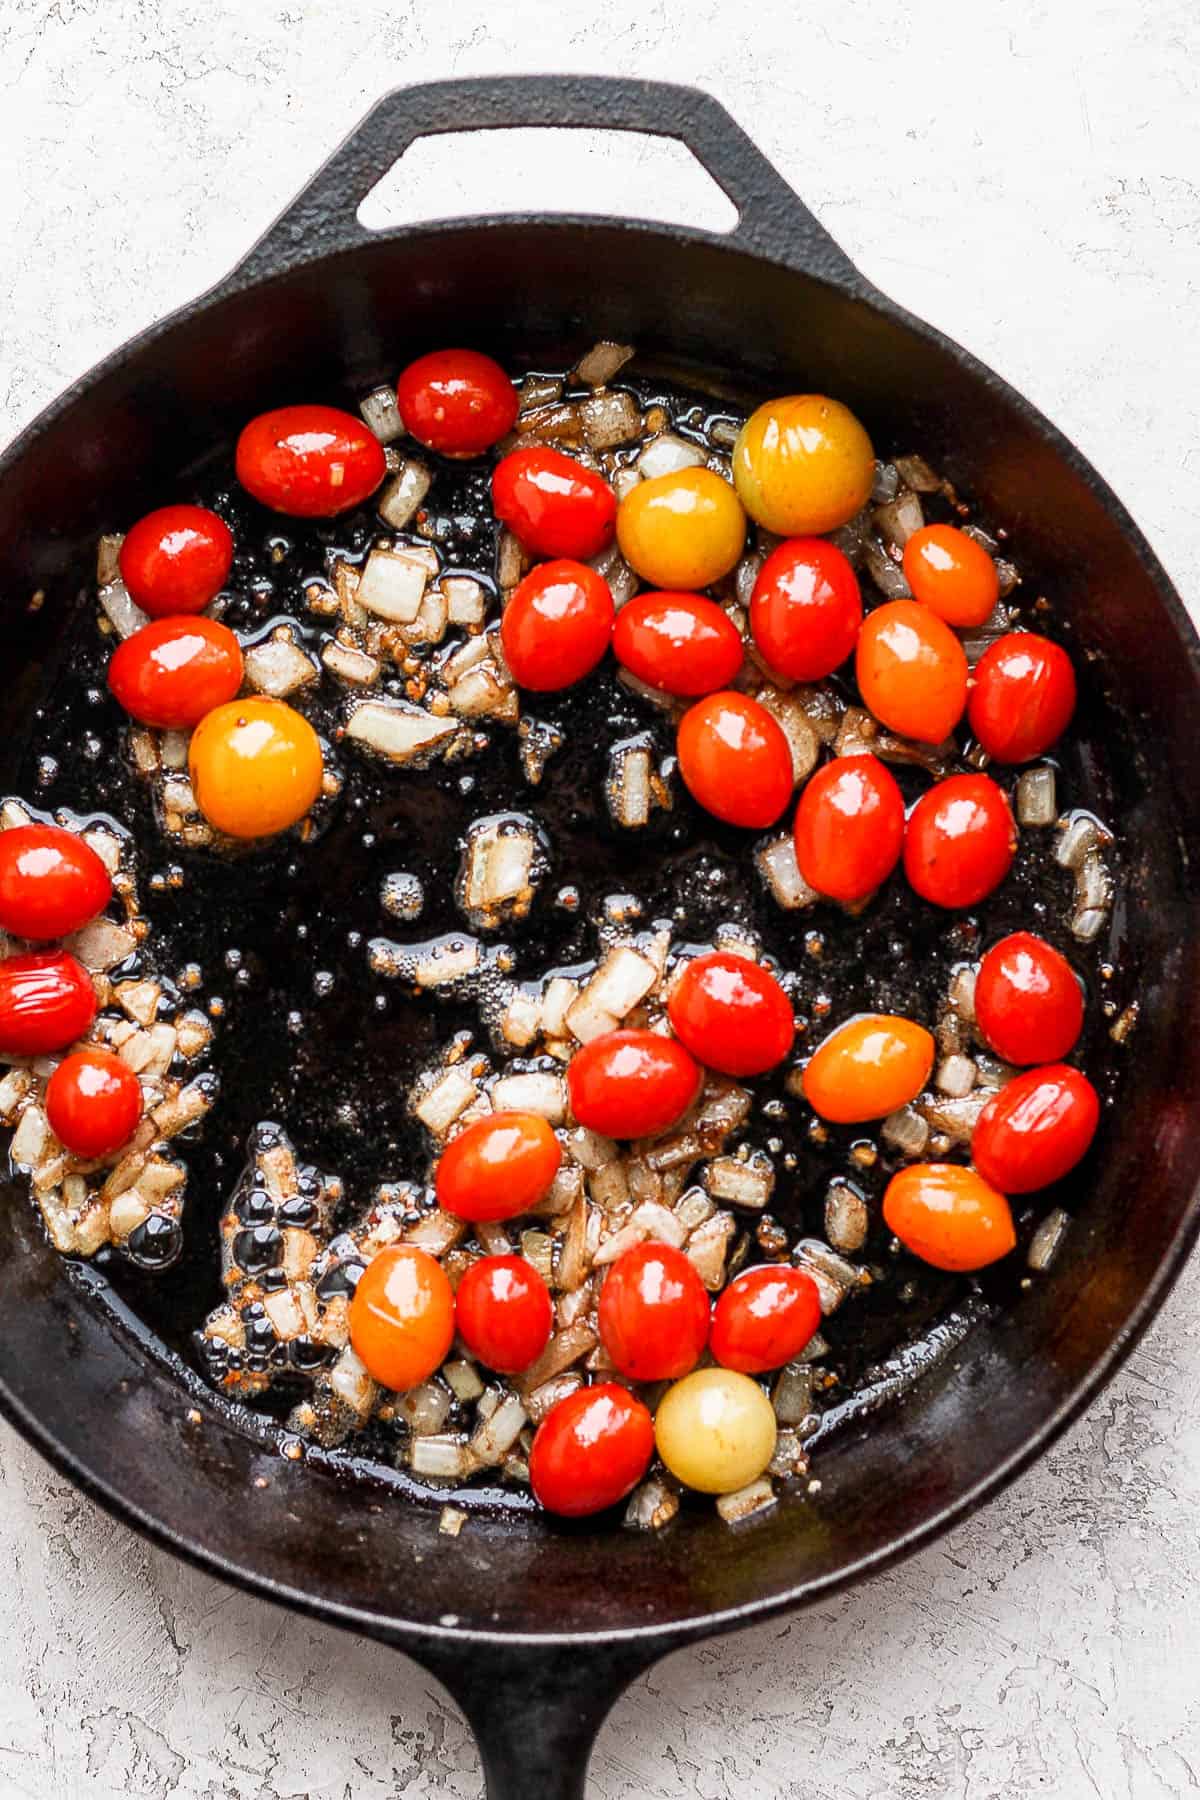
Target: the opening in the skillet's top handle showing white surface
pixel 530 170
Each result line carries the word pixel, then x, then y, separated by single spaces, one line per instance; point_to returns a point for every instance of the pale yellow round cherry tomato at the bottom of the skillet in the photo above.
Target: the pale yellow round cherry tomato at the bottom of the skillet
pixel 715 1430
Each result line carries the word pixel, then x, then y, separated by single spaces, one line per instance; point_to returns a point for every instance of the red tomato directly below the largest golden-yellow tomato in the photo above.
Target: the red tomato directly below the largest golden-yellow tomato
pixel 807 609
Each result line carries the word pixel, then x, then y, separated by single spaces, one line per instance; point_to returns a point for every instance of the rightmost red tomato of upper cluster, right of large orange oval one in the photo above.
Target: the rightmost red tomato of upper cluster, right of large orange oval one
pixel 1023 699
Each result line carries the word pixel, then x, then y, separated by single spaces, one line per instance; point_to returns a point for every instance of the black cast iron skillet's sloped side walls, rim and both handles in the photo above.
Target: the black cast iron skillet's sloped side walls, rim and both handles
pixel 532 1626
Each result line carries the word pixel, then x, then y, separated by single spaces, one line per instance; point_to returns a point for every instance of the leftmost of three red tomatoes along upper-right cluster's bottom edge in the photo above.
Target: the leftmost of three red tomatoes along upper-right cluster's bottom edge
pixel 735 759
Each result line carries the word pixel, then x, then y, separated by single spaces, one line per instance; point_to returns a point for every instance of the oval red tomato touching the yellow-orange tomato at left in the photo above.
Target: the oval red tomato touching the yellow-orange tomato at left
pixel 175 670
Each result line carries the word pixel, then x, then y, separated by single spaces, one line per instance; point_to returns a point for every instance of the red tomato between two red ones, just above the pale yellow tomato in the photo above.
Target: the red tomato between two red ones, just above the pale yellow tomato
pixel 654 1313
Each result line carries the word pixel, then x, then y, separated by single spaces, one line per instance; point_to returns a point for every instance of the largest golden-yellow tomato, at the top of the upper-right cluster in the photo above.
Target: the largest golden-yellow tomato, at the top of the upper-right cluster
pixel 803 465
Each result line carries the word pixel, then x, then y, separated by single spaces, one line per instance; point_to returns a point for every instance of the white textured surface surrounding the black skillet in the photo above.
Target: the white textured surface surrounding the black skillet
pixel 1026 175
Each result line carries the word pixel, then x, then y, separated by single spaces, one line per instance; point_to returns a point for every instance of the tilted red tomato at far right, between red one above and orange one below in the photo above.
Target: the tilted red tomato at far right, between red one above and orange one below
pixel 1035 1129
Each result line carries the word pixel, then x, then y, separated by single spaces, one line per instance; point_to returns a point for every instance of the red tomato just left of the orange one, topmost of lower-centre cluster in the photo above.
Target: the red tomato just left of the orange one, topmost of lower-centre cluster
pixel 731 1014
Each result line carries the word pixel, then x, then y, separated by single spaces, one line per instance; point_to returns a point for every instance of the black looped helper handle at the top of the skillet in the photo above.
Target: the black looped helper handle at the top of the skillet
pixel 773 220
